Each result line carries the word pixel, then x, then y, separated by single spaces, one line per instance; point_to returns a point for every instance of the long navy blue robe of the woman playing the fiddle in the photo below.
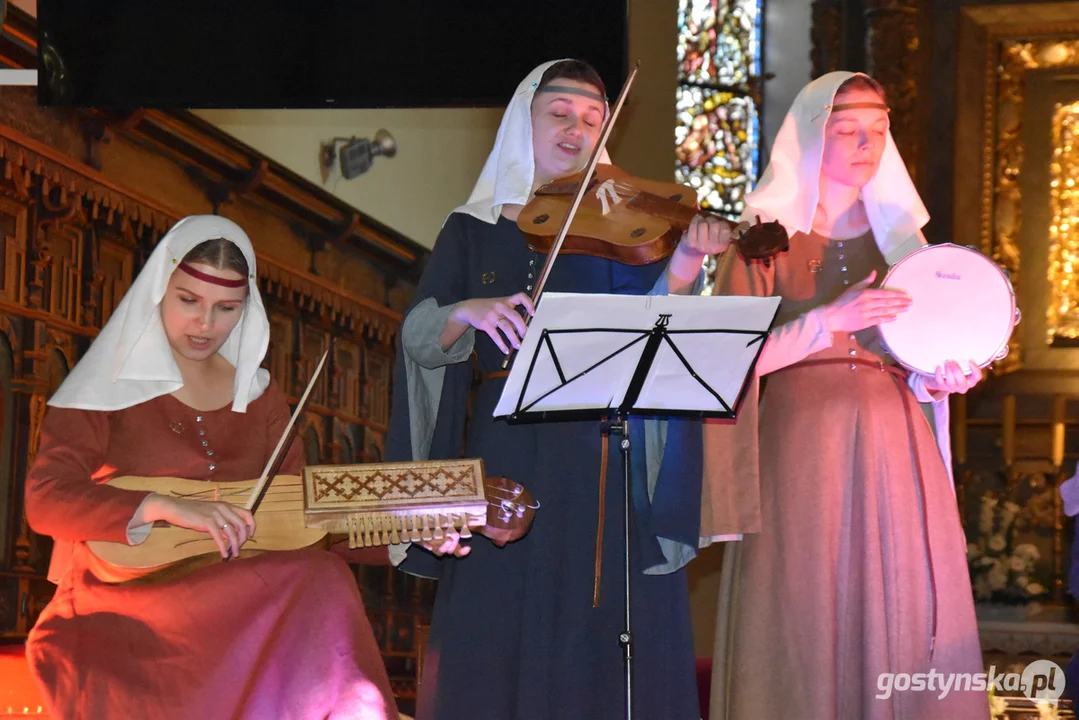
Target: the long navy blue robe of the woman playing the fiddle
pixel 514 634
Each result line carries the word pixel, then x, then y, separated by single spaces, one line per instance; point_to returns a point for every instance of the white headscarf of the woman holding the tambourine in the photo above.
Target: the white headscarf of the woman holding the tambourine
pixel 789 188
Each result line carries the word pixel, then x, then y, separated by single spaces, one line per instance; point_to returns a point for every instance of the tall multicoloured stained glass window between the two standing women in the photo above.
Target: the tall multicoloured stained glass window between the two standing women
pixel 718 130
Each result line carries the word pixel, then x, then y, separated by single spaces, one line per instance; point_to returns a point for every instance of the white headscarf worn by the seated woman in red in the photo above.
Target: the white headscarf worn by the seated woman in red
pixel 131 361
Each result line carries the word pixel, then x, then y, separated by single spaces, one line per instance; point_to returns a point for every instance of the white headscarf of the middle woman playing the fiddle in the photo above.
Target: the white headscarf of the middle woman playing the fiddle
pixel 510 170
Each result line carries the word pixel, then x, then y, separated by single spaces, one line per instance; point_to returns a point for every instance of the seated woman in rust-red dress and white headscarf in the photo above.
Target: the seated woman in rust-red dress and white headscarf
pixel 172 388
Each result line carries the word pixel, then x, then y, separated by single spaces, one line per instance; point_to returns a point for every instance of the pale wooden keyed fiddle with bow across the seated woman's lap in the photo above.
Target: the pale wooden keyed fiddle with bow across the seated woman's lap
pixel 374 505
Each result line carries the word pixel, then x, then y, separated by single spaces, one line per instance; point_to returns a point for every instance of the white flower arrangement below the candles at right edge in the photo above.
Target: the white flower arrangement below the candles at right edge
pixel 1001 570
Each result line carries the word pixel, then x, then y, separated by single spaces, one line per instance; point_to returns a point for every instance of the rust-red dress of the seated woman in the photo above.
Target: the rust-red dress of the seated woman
pixel 280 635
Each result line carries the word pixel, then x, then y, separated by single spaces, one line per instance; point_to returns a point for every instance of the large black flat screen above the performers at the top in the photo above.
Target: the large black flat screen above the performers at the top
pixel 316 53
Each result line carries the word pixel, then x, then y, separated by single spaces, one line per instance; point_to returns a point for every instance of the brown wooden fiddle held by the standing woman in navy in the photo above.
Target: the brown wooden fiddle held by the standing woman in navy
pixel 632 221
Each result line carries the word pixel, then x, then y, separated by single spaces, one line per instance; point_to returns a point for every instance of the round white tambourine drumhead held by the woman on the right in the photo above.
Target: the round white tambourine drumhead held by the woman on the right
pixel 963 309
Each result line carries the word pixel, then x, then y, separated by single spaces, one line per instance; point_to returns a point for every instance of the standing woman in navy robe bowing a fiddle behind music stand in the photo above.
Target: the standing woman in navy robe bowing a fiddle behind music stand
pixel 515 635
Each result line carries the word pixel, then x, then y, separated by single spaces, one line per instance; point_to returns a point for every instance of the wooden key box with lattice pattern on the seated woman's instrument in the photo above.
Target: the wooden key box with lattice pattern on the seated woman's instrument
pixel 378 505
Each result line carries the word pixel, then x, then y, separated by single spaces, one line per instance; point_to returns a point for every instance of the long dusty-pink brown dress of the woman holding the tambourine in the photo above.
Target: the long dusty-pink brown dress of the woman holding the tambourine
pixel 861 563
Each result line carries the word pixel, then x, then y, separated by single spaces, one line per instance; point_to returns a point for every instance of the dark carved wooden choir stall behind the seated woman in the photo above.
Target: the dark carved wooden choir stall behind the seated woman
pixel 84 199
